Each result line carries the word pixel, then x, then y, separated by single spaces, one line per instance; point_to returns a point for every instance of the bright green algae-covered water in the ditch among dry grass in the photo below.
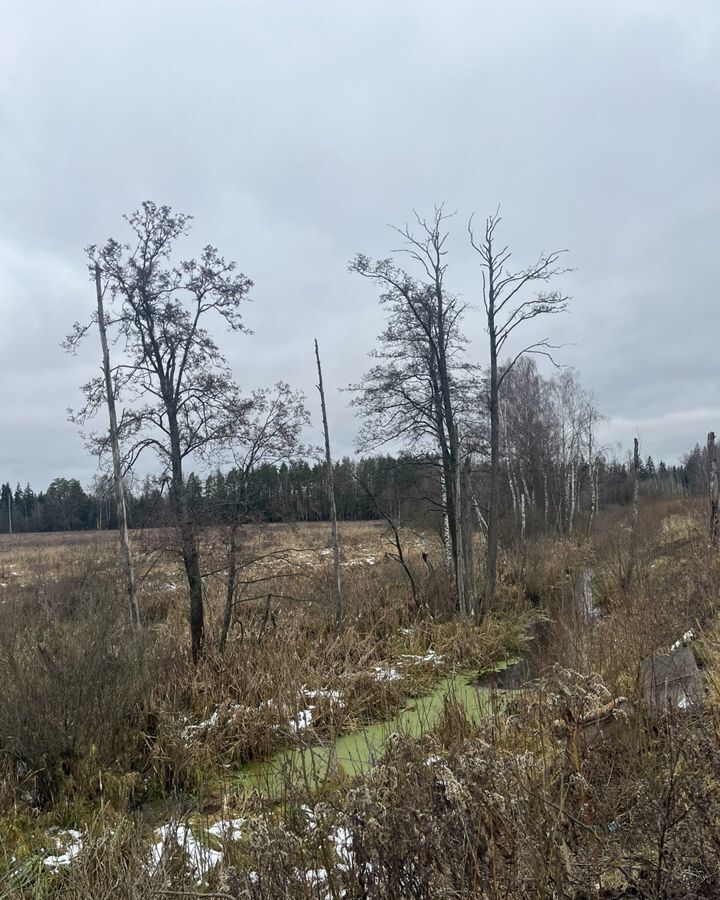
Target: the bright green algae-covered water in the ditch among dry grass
pixel 311 766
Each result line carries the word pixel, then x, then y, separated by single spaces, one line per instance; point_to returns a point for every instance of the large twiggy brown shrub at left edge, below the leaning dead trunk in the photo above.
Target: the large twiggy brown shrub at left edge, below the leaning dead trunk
pixel 76 686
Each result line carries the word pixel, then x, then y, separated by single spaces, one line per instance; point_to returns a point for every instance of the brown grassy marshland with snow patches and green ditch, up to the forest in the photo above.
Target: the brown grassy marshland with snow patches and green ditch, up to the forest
pixel 383 759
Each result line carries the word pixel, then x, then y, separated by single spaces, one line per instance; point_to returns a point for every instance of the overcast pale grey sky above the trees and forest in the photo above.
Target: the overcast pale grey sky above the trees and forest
pixel 294 132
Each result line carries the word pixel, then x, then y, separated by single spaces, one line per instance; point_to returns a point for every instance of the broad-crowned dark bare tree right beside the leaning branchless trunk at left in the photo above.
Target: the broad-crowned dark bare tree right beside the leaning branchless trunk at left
pixel 176 381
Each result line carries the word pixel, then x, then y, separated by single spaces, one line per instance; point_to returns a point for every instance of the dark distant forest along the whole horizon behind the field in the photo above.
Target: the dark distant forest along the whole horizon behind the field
pixel 402 487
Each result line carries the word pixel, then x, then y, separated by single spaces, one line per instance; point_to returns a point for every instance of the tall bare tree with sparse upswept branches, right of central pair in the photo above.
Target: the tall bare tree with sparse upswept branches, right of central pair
pixel 507 309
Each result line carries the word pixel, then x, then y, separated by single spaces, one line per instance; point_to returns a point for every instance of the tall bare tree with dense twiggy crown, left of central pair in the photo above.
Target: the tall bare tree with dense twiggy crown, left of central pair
pixel 415 391
